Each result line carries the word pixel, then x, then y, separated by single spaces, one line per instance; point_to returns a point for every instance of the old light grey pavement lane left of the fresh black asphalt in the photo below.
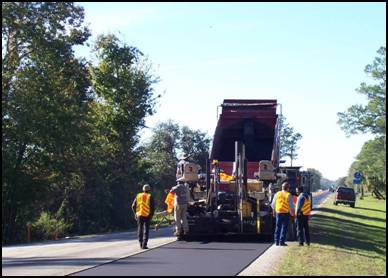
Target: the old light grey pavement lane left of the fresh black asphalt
pixel 68 256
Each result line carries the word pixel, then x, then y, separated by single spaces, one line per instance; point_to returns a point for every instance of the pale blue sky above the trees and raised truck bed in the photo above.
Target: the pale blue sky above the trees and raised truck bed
pixel 309 56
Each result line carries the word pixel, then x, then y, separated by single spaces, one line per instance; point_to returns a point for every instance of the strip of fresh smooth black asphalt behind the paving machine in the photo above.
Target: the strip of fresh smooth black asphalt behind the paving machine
pixel 183 258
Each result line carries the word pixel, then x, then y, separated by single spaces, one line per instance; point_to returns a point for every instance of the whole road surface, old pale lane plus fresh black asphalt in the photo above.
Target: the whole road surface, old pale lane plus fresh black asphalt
pixel 64 257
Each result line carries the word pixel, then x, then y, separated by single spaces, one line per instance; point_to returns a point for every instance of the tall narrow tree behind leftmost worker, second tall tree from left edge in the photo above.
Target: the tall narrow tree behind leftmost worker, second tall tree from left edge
pixel 123 84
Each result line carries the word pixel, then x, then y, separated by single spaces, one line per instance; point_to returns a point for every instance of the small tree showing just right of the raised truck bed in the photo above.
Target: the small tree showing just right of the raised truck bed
pixel 288 141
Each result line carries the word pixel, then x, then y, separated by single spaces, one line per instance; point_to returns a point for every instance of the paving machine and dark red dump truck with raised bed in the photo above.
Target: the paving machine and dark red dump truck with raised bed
pixel 242 173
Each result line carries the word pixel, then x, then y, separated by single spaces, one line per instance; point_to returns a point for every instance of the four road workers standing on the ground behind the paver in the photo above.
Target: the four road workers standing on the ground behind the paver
pixel 283 206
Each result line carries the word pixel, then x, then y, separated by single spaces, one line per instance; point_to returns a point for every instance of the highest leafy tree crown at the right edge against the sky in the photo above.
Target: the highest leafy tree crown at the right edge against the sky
pixel 370 117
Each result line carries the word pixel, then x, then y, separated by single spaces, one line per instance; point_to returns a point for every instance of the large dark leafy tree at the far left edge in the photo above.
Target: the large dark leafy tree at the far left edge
pixel 44 101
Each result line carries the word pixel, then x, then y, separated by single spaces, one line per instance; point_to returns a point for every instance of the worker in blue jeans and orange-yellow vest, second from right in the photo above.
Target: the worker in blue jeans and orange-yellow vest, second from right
pixel 282 206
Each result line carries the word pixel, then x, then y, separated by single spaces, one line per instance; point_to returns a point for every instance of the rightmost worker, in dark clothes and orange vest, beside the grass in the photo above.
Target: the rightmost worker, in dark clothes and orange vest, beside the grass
pixel 302 211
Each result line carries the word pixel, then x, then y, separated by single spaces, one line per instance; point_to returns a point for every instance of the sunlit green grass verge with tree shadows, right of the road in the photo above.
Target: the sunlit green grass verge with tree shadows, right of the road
pixel 345 241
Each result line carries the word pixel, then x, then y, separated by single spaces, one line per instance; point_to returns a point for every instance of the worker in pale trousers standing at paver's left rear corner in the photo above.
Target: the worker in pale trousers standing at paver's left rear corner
pixel 182 198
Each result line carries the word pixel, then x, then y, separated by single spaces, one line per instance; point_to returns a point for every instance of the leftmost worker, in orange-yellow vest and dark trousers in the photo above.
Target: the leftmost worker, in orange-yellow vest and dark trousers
pixel 143 207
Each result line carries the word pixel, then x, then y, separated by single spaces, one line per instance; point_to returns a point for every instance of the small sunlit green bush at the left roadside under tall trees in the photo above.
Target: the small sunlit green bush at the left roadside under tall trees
pixel 47 227
